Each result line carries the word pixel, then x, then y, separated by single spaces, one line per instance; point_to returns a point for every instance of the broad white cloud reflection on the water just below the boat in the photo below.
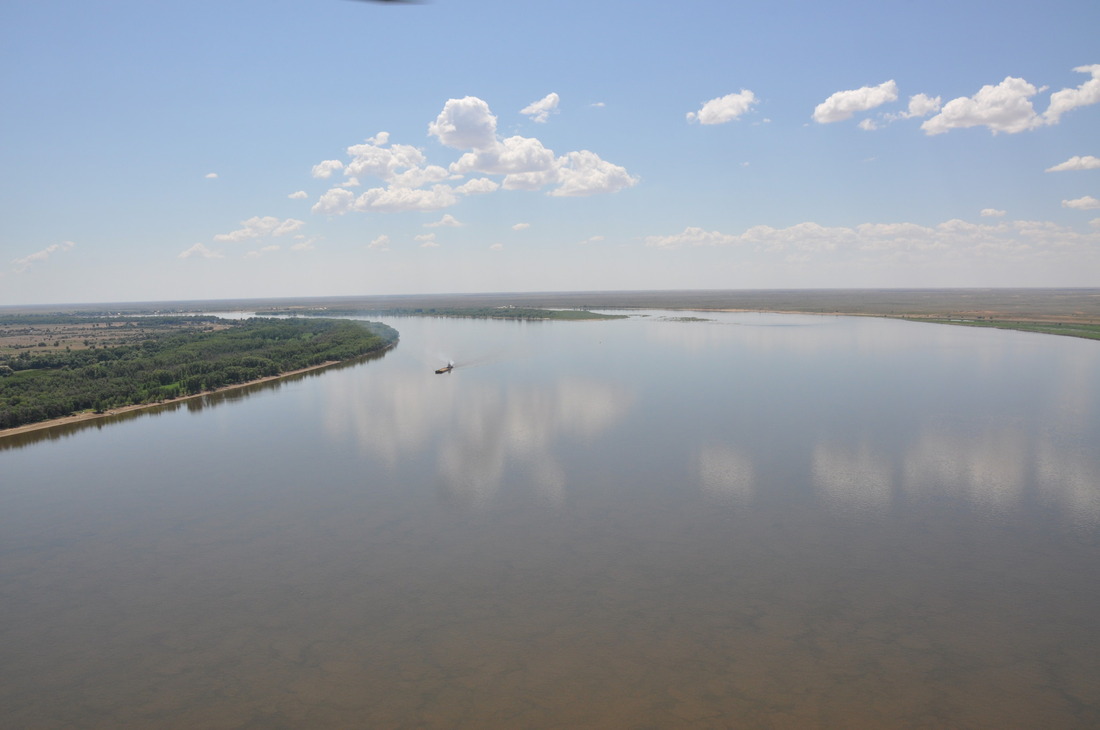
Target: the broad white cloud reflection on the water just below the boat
pixel 481 434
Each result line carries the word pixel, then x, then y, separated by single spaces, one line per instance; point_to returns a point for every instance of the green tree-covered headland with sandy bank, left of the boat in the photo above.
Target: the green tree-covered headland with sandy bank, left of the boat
pixel 45 384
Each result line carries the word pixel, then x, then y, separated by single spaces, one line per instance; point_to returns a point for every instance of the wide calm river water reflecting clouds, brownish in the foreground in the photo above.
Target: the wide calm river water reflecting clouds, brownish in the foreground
pixel 756 522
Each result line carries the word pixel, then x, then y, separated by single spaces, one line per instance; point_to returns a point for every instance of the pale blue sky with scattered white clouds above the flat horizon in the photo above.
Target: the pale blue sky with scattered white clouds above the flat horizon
pixel 322 148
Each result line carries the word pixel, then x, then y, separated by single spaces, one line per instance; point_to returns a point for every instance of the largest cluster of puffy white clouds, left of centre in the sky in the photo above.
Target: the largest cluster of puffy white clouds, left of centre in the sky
pixel 467 125
